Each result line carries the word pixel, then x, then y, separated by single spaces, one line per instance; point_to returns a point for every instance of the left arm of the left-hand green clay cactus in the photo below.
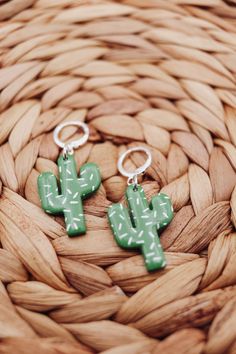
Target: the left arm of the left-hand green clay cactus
pixel 48 190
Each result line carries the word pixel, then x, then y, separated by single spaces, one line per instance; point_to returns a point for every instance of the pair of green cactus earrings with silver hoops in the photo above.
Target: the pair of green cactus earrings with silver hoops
pixel 133 228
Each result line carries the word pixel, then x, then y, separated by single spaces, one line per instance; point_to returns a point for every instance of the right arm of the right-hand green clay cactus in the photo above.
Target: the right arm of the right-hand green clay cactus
pixel 162 210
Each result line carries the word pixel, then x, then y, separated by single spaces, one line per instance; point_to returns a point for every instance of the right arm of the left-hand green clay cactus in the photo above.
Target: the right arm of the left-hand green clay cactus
pixel 90 179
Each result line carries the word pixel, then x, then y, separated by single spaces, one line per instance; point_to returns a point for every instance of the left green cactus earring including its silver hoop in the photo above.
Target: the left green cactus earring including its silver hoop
pixel 68 200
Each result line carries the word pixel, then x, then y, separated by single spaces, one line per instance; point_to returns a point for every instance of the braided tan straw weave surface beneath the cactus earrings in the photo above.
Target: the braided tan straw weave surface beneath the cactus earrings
pixel 141 72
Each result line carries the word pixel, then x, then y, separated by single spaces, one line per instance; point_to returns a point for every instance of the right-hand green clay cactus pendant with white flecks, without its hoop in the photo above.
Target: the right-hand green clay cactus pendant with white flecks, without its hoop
pixel 140 228
